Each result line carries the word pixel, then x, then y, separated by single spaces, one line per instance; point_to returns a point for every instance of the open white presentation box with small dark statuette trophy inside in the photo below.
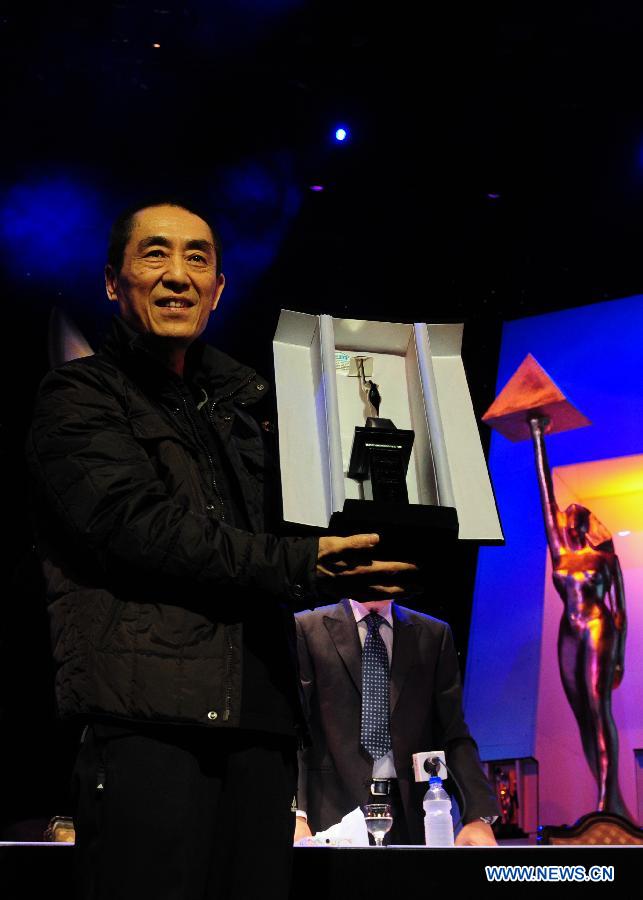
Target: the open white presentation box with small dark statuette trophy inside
pixel 377 433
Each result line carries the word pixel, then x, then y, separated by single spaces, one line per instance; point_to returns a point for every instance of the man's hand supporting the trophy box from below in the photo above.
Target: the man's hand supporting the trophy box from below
pixel 347 567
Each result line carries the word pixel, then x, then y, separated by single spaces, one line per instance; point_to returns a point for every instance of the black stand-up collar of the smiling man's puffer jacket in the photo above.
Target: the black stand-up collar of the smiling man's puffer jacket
pixel 219 374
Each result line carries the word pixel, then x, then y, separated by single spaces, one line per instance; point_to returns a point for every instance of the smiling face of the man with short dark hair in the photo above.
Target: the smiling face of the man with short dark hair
pixel 168 283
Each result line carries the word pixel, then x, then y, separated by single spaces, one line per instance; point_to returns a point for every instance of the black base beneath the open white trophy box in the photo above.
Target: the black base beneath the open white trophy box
pixel 408 531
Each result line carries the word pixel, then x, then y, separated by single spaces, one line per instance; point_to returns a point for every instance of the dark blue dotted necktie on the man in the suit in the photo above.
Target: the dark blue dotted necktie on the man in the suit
pixel 375 735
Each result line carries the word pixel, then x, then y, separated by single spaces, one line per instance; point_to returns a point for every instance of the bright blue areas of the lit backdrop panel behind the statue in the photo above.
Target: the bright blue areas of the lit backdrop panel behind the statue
pixel 594 354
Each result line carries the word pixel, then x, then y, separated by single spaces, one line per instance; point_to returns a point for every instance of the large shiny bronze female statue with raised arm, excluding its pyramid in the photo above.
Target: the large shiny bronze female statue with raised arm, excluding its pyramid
pixel 591 639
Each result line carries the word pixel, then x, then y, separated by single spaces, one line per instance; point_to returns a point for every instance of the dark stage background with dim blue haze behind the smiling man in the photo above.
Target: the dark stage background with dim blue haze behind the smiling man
pixel 493 169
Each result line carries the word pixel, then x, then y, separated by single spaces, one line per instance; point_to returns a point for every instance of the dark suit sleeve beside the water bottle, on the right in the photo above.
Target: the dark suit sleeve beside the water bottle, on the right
pixel 460 748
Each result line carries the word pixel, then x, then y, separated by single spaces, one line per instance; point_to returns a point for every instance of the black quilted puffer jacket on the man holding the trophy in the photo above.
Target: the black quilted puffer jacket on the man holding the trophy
pixel 148 584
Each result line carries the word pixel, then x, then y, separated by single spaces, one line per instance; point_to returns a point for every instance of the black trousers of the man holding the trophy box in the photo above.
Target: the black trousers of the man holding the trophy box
pixel 169 814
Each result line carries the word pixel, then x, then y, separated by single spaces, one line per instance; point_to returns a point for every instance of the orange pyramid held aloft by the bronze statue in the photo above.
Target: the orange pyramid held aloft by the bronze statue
pixel 531 392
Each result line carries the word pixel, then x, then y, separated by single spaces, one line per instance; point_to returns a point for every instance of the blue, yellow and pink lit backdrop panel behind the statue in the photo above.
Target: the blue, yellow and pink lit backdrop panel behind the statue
pixel 514 700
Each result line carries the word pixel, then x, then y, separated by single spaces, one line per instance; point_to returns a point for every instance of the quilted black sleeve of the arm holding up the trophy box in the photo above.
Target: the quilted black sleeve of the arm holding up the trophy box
pixel 102 489
